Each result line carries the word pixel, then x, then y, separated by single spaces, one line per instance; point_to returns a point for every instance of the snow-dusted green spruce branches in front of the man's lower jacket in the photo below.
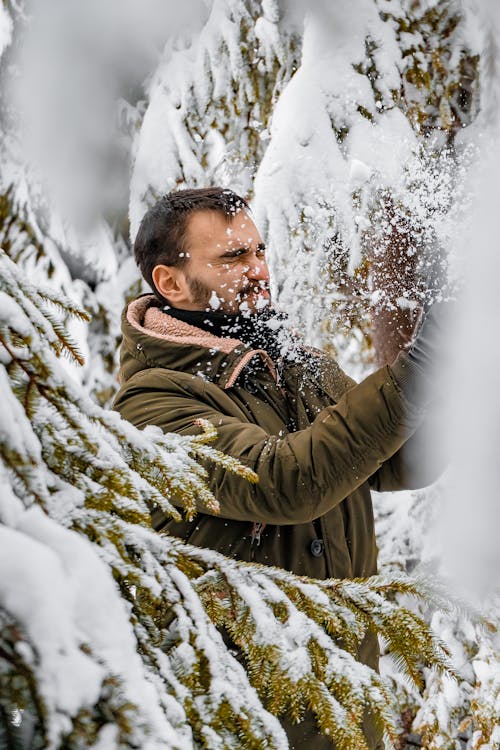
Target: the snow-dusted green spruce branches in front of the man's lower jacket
pixel 297 638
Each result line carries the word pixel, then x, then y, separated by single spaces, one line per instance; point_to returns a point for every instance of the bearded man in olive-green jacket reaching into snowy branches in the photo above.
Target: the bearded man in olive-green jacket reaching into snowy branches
pixel 207 344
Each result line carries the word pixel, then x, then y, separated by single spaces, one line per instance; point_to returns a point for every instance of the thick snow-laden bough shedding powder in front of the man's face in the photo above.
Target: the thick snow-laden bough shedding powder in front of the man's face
pixel 365 188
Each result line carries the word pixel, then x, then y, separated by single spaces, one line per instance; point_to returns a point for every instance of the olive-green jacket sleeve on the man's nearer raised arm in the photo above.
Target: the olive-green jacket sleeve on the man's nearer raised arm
pixel 302 475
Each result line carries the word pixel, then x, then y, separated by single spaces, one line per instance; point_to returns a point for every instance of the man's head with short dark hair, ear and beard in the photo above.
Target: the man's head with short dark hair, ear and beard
pixel 200 250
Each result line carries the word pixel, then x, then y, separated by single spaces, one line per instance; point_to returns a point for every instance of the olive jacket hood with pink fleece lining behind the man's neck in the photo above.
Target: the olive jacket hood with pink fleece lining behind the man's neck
pixel 152 338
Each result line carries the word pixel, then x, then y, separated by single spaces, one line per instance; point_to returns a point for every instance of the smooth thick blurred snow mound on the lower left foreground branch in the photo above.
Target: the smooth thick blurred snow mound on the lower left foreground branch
pixel 64 597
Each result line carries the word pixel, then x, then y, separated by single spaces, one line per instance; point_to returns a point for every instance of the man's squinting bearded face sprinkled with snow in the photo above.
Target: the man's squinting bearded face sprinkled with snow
pixel 226 269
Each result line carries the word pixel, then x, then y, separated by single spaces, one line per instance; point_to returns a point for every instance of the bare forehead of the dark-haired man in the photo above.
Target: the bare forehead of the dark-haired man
pixel 208 230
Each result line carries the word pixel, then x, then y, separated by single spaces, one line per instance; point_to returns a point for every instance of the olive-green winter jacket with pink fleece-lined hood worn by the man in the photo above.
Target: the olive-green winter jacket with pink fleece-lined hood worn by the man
pixel 316 440
